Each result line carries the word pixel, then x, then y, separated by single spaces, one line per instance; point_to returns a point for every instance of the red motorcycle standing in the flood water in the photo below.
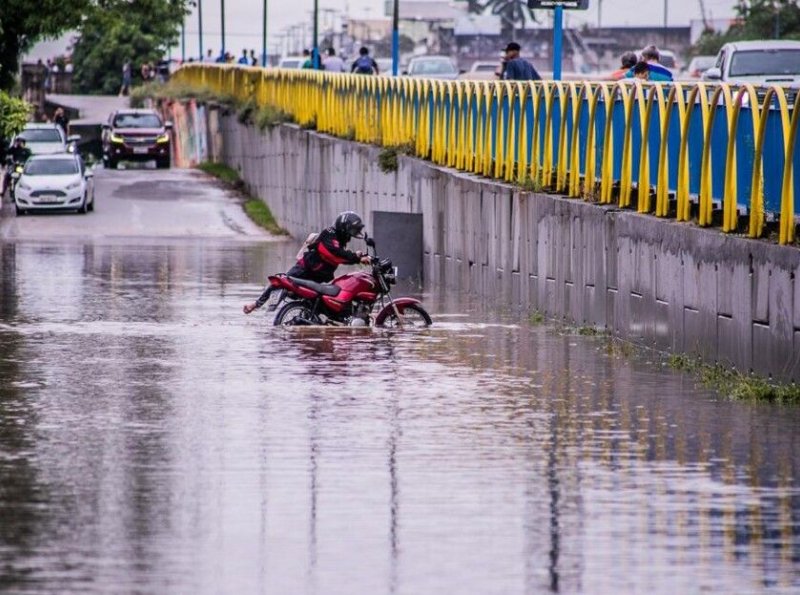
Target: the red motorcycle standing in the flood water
pixel 349 300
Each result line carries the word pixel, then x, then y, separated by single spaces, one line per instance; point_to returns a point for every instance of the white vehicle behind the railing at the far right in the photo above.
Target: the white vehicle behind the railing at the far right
pixel 757 62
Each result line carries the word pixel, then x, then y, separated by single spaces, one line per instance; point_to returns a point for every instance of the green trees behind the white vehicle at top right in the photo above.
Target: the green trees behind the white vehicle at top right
pixel 757 19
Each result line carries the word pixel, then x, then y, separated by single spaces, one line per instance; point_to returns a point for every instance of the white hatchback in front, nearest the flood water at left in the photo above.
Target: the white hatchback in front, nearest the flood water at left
pixel 53 182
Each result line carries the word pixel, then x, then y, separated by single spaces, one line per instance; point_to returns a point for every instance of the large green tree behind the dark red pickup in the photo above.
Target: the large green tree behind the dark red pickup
pixel 139 31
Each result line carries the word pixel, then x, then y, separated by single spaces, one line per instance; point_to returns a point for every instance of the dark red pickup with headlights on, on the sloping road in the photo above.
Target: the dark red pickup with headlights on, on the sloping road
pixel 136 135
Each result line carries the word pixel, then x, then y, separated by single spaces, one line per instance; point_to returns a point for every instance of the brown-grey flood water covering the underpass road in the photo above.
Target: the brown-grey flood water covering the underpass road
pixel 153 439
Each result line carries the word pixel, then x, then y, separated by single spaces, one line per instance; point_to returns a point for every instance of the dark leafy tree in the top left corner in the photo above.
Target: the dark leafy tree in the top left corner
pixel 23 23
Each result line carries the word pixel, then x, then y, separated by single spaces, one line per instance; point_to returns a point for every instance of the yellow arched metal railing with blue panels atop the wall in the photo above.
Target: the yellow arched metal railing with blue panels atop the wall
pixel 663 149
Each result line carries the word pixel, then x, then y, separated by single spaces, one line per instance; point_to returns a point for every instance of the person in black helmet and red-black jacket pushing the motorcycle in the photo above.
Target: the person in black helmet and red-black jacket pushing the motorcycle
pixel 325 253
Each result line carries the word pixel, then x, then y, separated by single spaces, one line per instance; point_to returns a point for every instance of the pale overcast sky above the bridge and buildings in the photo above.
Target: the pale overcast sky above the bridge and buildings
pixel 243 17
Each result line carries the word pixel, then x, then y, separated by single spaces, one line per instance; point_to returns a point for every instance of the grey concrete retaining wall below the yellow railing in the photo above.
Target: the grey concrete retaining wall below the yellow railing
pixel 668 285
